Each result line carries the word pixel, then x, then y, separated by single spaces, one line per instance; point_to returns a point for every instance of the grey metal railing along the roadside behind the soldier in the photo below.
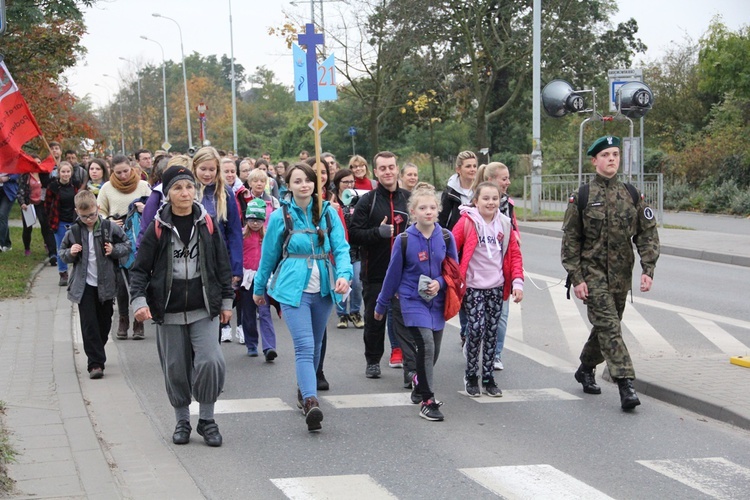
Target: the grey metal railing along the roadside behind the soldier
pixel 557 188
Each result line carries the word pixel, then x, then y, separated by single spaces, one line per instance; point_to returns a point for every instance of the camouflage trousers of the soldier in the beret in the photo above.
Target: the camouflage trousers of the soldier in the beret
pixel 605 342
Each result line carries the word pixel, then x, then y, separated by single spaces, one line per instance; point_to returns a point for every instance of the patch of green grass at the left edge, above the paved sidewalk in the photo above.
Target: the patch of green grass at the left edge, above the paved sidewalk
pixel 16 268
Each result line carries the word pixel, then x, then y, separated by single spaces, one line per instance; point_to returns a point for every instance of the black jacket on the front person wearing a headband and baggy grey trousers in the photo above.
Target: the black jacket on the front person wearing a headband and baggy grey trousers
pixel 166 289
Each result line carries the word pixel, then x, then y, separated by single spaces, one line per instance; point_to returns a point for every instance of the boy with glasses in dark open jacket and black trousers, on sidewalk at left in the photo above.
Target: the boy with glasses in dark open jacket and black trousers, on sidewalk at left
pixel 93 245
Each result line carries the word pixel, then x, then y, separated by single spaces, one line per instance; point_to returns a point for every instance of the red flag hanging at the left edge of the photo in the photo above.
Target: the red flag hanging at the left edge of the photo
pixel 17 127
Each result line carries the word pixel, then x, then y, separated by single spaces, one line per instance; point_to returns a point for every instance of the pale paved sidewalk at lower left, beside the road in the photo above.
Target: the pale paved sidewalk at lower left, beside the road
pixel 76 438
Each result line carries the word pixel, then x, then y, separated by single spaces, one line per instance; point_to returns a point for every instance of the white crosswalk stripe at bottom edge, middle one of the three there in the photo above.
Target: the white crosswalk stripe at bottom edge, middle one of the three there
pixel 532 482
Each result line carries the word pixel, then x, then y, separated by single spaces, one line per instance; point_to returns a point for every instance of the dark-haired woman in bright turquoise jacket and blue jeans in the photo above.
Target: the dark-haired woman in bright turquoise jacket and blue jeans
pixel 309 268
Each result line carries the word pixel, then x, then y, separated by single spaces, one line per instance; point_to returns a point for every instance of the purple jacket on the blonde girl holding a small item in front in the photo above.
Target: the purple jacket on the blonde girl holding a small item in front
pixel 423 256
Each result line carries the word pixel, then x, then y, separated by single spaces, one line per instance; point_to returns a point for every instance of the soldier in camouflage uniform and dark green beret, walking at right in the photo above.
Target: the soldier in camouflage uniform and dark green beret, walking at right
pixel 597 253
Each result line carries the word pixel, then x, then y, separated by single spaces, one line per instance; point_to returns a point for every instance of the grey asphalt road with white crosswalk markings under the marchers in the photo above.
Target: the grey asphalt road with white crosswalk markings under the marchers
pixel 544 434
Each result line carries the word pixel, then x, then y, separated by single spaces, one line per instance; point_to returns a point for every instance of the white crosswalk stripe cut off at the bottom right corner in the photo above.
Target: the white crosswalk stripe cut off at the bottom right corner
pixel 716 477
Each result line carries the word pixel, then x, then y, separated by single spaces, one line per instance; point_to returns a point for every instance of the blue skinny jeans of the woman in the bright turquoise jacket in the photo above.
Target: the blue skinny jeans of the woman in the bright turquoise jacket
pixel 306 324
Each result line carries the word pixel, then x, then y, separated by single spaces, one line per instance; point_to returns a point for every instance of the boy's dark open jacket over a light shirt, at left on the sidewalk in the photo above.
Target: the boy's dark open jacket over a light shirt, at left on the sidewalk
pixel 106 266
